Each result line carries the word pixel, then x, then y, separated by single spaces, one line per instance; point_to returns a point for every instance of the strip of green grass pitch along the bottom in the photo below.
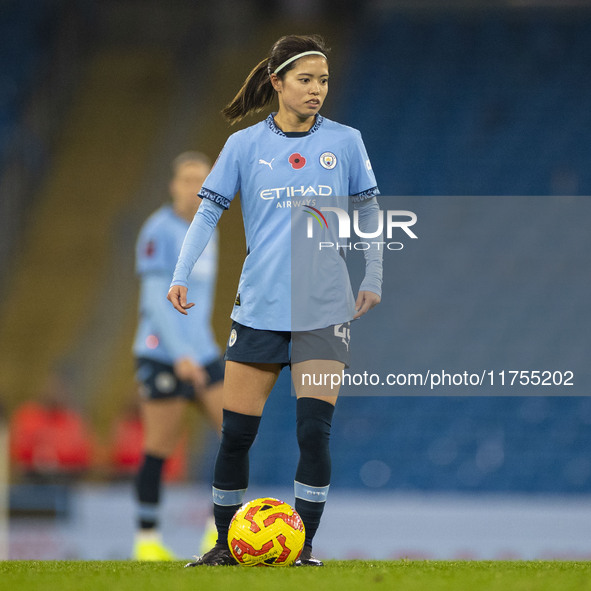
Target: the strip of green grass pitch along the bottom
pixel 402 575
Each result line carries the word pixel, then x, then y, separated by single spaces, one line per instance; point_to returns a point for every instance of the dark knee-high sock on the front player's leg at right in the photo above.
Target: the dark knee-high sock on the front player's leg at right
pixel 314 419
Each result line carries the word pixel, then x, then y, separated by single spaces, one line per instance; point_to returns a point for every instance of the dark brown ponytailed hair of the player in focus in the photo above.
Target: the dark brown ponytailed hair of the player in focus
pixel 257 91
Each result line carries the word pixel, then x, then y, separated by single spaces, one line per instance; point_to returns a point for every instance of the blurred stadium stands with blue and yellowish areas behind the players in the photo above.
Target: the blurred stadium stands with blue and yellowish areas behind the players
pixel 483 98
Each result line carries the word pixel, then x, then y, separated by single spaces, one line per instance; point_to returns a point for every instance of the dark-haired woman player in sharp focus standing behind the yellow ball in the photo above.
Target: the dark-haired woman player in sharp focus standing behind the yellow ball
pixel 290 160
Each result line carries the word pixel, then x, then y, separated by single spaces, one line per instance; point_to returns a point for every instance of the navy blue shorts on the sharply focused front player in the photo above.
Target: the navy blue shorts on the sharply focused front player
pixel 252 345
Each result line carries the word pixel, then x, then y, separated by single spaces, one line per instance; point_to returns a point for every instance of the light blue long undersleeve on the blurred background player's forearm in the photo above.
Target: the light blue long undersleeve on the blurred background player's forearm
pixel 170 326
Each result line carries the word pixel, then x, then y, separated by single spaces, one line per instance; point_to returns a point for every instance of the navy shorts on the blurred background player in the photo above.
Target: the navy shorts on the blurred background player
pixel 157 380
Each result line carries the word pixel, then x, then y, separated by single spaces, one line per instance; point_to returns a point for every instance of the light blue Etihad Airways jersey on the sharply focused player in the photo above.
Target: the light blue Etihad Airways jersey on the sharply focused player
pixel 277 174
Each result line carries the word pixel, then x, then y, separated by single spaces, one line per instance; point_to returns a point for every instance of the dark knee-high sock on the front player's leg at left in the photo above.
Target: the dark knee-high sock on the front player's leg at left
pixel 230 477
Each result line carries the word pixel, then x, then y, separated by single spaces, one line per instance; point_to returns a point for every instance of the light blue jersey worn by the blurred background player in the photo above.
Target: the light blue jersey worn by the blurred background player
pixel 163 334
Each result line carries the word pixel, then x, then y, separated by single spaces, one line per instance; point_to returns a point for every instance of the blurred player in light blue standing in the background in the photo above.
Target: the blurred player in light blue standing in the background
pixel 177 358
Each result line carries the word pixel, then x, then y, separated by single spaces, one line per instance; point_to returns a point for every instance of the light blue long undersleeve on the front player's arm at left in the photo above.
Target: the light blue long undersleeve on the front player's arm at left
pixel 196 239
